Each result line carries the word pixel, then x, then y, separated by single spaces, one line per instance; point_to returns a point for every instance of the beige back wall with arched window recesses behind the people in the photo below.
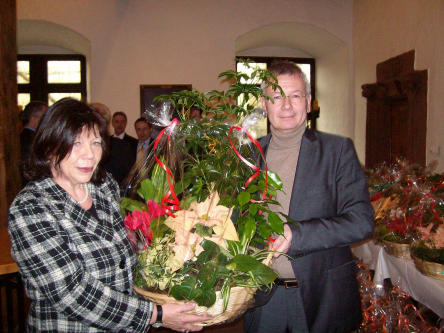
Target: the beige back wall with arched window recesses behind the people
pixel 191 41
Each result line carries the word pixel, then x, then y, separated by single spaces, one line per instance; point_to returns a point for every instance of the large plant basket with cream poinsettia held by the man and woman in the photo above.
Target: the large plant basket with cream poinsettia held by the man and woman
pixel 198 208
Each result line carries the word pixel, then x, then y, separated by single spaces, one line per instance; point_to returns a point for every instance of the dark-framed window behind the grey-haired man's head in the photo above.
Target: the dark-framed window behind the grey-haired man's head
pixel 307 65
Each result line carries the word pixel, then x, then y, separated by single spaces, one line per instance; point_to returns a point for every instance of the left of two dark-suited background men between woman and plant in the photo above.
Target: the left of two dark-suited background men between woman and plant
pixel 122 149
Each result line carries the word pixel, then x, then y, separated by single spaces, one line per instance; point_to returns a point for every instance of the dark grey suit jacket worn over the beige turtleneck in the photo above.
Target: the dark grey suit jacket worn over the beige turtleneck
pixel 331 204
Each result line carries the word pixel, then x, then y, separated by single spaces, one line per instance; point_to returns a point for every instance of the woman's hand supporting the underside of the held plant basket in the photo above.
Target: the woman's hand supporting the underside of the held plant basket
pixel 175 317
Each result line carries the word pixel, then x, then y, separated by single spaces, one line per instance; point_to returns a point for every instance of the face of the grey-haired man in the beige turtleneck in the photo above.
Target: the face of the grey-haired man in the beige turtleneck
pixel 287 113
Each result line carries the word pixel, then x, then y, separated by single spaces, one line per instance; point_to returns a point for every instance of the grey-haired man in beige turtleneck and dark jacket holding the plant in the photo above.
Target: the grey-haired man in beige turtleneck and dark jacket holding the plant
pixel 325 192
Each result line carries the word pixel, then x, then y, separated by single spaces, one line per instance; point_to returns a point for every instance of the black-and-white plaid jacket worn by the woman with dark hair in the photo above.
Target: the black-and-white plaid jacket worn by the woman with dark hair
pixel 77 271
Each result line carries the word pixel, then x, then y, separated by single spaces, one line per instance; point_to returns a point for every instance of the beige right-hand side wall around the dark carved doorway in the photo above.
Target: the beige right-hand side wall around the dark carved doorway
pixel 383 29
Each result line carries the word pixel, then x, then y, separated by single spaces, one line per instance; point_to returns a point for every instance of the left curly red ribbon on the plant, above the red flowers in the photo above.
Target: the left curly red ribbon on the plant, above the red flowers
pixel 167 203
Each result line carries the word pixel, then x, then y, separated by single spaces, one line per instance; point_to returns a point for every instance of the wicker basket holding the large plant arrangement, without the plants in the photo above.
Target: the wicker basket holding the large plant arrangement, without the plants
pixel 240 300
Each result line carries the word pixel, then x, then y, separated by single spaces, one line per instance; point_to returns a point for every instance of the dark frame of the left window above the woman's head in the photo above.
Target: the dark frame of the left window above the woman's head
pixel 38 86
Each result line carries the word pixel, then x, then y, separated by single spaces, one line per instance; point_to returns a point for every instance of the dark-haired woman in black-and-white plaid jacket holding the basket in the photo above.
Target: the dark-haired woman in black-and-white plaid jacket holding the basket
pixel 68 237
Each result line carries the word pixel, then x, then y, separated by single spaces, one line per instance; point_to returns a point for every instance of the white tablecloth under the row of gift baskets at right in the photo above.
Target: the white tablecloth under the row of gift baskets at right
pixel 404 274
